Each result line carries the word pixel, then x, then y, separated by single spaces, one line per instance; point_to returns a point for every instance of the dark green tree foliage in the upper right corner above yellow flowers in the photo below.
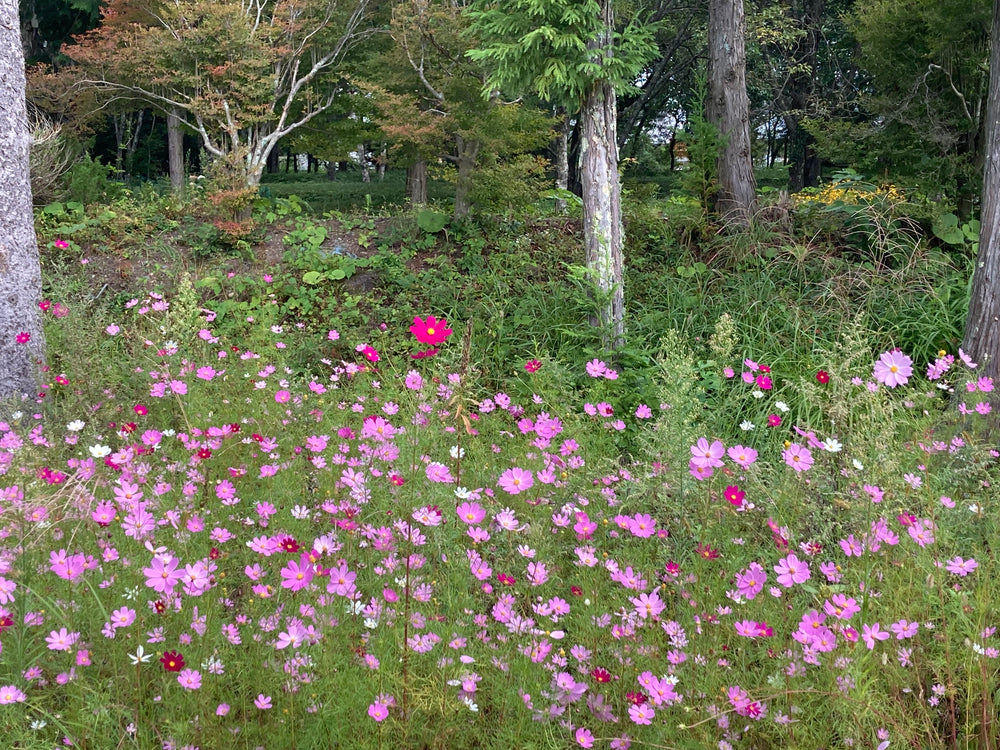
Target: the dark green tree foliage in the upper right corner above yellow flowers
pixel 929 77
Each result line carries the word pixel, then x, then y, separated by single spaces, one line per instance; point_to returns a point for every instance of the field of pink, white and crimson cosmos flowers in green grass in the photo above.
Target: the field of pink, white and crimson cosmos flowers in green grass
pixel 276 533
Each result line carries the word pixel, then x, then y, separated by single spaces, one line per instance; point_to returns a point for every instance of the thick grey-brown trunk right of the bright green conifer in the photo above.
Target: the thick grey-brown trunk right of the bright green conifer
pixel 729 110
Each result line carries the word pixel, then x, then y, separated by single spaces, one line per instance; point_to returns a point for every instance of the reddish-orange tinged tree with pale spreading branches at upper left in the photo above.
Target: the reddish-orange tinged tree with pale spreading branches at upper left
pixel 241 74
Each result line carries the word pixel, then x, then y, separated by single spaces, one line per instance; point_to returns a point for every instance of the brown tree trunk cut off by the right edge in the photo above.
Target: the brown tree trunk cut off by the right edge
pixel 982 327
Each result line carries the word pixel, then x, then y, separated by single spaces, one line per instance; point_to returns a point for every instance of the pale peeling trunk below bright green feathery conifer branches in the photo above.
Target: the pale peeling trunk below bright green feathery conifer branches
pixel 603 236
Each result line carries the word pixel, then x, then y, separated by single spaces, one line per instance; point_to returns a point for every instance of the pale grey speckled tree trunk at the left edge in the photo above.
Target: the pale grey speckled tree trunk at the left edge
pixel 20 274
